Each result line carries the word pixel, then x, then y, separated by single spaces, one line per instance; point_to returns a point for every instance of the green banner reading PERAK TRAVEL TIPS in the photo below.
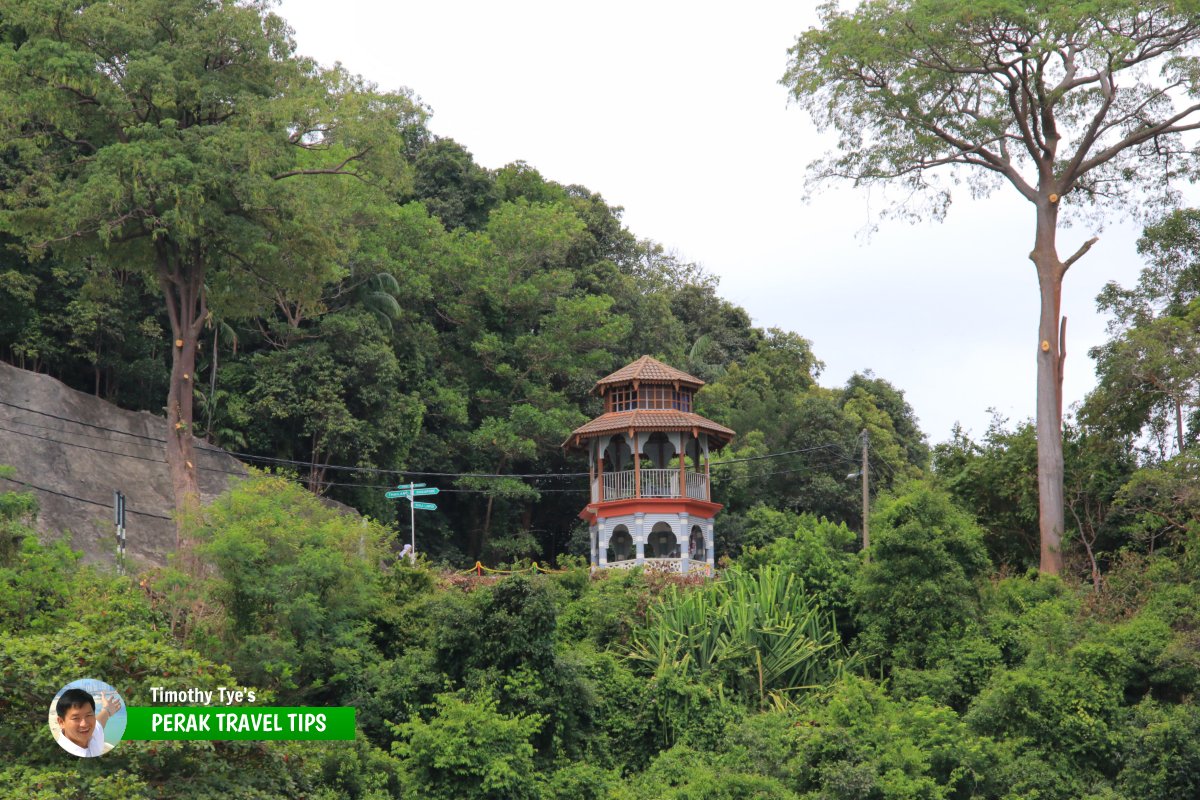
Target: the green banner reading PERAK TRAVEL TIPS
pixel 260 724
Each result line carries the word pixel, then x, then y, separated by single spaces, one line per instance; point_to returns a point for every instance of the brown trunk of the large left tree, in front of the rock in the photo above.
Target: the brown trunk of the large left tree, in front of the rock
pixel 182 280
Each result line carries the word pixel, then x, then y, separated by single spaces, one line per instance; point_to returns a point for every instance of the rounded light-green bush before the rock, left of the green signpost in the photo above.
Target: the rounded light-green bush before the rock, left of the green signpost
pixel 298 585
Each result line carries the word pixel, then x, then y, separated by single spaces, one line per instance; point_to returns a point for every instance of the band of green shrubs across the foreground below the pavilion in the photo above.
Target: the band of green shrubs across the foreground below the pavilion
pixel 802 672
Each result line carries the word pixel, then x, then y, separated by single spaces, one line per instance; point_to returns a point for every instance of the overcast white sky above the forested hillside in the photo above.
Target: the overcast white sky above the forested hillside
pixel 675 112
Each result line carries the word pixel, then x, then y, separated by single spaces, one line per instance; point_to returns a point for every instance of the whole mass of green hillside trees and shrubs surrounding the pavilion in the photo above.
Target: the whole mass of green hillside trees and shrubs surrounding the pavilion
pixel 367 305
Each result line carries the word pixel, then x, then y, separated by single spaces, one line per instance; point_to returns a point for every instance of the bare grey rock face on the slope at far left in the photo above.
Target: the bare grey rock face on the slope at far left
pixel 74 450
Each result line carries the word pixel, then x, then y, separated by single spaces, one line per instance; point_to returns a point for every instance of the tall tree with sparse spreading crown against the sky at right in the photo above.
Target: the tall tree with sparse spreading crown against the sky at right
pixel 1078 105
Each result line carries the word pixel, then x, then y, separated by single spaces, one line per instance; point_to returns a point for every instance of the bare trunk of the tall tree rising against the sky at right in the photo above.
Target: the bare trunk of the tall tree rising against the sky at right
pixel 1051 354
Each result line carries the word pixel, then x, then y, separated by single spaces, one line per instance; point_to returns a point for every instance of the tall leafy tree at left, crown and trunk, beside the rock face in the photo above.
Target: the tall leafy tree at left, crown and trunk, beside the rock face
pixel 165 137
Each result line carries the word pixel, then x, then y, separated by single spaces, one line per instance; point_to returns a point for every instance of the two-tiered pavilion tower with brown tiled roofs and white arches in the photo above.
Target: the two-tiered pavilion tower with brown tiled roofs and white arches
pixel 649 461
